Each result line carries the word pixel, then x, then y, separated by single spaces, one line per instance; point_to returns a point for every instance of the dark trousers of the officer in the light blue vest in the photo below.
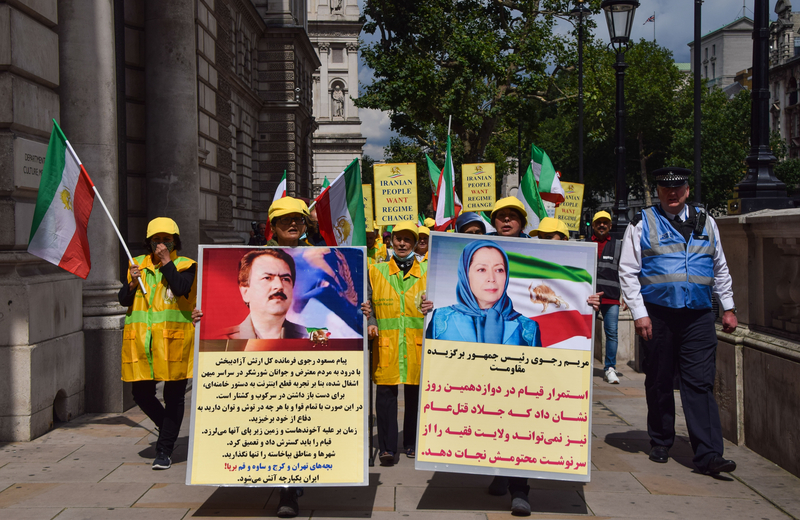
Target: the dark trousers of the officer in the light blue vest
pixel 684 342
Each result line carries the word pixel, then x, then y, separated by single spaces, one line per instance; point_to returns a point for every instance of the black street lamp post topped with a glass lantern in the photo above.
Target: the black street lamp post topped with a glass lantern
pixel 619 17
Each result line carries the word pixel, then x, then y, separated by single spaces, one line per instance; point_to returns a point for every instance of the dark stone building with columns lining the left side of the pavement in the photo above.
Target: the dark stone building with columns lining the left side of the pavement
pixel 190 109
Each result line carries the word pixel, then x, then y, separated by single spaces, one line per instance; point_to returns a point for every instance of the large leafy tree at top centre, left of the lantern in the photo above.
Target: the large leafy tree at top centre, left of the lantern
pixel 475 60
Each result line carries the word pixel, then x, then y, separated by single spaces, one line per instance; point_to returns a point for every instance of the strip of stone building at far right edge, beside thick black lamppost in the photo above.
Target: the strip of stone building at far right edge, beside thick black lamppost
pixel 784 73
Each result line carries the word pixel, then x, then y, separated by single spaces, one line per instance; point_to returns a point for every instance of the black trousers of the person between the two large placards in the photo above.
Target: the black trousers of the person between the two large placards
pixel 386 415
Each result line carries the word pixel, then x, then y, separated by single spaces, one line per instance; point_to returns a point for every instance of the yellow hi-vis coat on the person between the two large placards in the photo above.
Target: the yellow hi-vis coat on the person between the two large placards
pixel 395 301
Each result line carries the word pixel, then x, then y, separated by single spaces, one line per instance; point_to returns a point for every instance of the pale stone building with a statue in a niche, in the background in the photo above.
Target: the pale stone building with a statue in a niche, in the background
pixel 333 27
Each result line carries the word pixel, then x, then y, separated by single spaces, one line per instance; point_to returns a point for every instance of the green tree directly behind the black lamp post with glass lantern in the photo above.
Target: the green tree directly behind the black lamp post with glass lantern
pixel 651 84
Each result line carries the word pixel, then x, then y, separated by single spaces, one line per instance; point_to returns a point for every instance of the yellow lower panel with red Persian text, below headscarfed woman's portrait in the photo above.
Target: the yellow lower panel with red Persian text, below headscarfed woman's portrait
pixel 480 408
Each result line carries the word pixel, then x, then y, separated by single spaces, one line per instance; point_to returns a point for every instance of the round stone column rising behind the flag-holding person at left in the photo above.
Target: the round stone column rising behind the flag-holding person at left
pixel 173 183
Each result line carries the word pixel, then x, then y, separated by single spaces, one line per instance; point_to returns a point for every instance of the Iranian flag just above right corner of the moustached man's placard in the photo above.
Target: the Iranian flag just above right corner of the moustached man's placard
pixel 340 209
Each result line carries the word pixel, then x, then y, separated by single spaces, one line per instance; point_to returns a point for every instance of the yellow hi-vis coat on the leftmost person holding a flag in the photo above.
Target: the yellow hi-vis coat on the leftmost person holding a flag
pixel 158 340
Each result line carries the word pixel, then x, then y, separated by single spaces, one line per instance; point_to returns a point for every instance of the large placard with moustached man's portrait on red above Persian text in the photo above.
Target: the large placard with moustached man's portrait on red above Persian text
pixel 280 365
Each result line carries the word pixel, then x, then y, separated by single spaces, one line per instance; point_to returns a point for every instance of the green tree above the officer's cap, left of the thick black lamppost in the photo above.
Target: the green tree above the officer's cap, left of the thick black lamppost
pixel 724 141
